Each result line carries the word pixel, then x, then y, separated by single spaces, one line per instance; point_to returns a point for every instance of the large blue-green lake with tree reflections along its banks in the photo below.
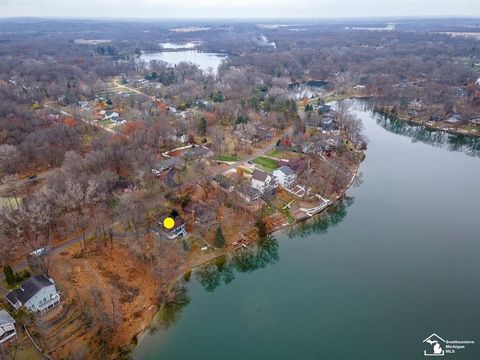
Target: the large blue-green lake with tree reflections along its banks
pixel 395 261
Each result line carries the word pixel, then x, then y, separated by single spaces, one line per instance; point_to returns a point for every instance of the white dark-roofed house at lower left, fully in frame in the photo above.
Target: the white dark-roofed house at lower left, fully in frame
pixel 37 294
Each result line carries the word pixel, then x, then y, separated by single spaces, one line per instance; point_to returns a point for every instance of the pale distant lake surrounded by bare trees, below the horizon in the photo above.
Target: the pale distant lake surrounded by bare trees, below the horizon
pixel 205 61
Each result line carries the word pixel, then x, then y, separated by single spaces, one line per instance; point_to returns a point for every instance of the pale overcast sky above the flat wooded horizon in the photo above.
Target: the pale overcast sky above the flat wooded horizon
pixel 237 8
